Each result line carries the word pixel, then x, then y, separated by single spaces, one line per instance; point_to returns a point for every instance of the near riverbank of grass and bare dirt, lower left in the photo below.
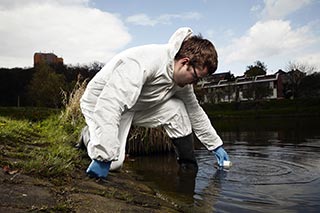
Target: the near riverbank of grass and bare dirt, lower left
pixel 41 171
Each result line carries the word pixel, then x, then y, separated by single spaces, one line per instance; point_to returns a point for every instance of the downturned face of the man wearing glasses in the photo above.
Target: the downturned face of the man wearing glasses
pixel 185 73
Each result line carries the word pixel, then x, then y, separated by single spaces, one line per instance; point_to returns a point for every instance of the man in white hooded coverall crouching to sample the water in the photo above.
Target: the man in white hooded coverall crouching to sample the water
pixel 150 86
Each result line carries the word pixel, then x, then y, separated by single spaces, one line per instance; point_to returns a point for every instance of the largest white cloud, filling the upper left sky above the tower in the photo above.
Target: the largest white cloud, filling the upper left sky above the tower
pixel 68 27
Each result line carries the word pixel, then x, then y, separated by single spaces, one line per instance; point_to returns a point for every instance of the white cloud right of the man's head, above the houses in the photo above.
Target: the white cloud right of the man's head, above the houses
pixel 268 39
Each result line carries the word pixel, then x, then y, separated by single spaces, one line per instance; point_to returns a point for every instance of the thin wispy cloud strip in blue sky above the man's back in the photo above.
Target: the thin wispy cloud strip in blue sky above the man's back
pixel 145 20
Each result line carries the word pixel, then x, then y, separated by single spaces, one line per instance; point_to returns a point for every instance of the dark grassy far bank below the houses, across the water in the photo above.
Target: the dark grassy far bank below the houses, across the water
pixel 261 109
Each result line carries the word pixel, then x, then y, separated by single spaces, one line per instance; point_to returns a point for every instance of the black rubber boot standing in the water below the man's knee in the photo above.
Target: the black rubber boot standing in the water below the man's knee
pixel 185 153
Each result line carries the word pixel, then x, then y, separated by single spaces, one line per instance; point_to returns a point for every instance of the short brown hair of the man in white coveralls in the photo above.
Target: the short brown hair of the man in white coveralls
pixel 201 52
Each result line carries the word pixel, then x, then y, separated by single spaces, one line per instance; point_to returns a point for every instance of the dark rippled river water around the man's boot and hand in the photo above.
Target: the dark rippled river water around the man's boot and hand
pixel 276 168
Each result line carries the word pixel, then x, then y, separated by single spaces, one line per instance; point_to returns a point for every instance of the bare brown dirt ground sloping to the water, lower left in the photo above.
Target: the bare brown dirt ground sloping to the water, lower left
pixel 121 192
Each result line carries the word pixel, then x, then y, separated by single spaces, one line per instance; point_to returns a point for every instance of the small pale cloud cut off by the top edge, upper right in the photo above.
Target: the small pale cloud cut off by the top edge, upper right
pixel 277 9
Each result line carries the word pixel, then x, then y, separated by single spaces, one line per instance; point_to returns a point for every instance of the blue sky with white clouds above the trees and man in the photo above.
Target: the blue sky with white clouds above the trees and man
pixel 275 32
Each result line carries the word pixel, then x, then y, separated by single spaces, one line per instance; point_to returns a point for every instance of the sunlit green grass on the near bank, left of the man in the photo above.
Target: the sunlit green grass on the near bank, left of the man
pixel 44 148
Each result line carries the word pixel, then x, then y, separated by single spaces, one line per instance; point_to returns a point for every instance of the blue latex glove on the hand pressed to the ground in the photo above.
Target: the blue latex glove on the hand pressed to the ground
pixel 98 169
